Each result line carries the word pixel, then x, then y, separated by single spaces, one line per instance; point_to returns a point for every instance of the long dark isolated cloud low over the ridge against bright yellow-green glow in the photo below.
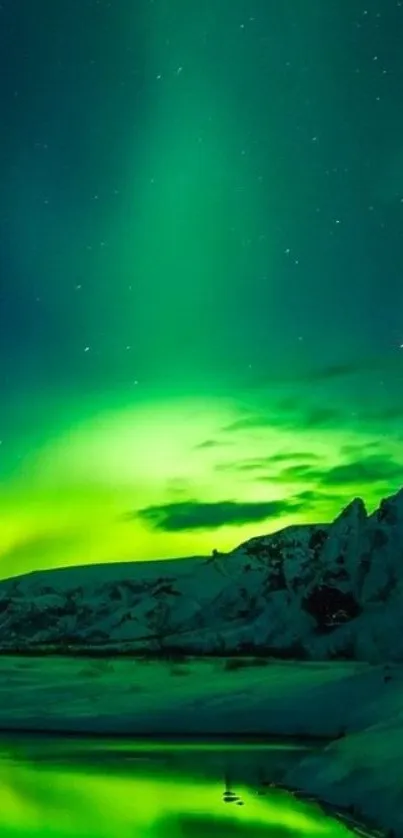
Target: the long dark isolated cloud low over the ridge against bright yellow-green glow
pixel 194 515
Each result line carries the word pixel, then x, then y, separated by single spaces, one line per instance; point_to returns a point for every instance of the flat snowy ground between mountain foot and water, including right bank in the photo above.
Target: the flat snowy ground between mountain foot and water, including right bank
pixel 361 703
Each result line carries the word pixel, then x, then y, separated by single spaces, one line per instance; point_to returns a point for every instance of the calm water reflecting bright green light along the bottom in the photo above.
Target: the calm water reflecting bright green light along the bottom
pixel 87 789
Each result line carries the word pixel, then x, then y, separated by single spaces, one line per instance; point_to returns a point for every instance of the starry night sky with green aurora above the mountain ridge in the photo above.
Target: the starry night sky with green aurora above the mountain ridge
pixel 201 265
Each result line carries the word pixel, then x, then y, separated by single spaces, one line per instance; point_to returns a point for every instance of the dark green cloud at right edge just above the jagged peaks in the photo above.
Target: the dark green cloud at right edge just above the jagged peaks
pixel 366 470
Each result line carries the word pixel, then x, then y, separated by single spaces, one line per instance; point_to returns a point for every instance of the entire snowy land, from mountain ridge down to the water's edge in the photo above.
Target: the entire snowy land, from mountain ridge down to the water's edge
pixel 324 593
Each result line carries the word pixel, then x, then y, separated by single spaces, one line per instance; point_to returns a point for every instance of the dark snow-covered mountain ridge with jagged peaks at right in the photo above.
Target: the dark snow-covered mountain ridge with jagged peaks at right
pixel 312 591
